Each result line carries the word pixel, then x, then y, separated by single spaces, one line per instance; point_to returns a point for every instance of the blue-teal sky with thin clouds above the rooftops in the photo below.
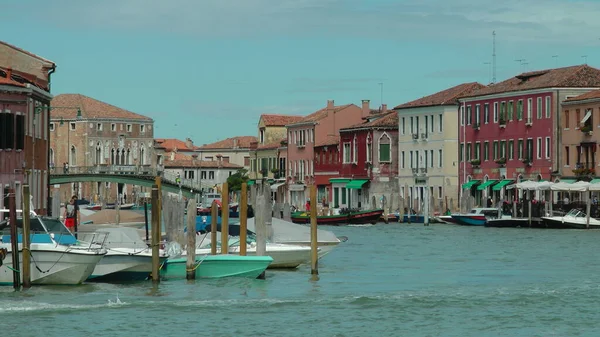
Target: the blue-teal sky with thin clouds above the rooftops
pixel 207 69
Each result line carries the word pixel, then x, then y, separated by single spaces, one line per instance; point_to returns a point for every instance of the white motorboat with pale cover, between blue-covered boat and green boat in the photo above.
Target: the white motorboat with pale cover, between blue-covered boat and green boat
pixel 128 257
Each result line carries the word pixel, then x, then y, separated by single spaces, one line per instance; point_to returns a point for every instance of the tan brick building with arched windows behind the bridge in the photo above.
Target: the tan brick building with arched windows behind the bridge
pixel 88 134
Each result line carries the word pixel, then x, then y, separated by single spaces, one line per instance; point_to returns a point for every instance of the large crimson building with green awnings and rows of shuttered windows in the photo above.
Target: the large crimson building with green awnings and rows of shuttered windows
pixel 509 131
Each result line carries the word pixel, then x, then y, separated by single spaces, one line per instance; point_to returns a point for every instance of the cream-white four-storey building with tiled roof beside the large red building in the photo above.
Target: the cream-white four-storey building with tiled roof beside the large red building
pixel 428 144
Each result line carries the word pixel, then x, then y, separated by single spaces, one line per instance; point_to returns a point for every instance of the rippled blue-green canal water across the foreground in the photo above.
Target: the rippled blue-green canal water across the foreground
pixel 386 280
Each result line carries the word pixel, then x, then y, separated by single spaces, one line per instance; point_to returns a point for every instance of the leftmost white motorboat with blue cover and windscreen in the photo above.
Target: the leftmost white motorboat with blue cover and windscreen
pixel 56 256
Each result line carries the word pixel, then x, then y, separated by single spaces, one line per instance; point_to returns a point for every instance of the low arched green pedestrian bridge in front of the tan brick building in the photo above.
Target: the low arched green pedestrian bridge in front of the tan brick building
pixel 134 175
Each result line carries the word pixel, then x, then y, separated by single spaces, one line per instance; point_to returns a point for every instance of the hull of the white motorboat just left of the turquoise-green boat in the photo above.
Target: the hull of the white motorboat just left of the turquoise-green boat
pixel 123 267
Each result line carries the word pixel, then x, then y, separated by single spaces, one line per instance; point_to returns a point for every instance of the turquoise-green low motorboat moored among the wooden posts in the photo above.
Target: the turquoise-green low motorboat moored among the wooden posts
pixel 217 266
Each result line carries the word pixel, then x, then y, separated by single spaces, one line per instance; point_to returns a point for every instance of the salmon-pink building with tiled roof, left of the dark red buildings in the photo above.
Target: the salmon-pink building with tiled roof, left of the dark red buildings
pixel 303 135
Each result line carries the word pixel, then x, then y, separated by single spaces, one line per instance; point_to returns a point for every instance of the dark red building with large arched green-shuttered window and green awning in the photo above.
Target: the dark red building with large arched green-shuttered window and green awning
pixel 368 162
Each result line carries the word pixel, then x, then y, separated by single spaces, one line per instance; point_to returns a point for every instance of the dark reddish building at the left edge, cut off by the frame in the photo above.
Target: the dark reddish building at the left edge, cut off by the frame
pixel 24 101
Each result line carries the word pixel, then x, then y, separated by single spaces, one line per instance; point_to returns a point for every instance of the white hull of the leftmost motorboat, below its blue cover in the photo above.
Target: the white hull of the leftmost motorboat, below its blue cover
pixel 58 267
